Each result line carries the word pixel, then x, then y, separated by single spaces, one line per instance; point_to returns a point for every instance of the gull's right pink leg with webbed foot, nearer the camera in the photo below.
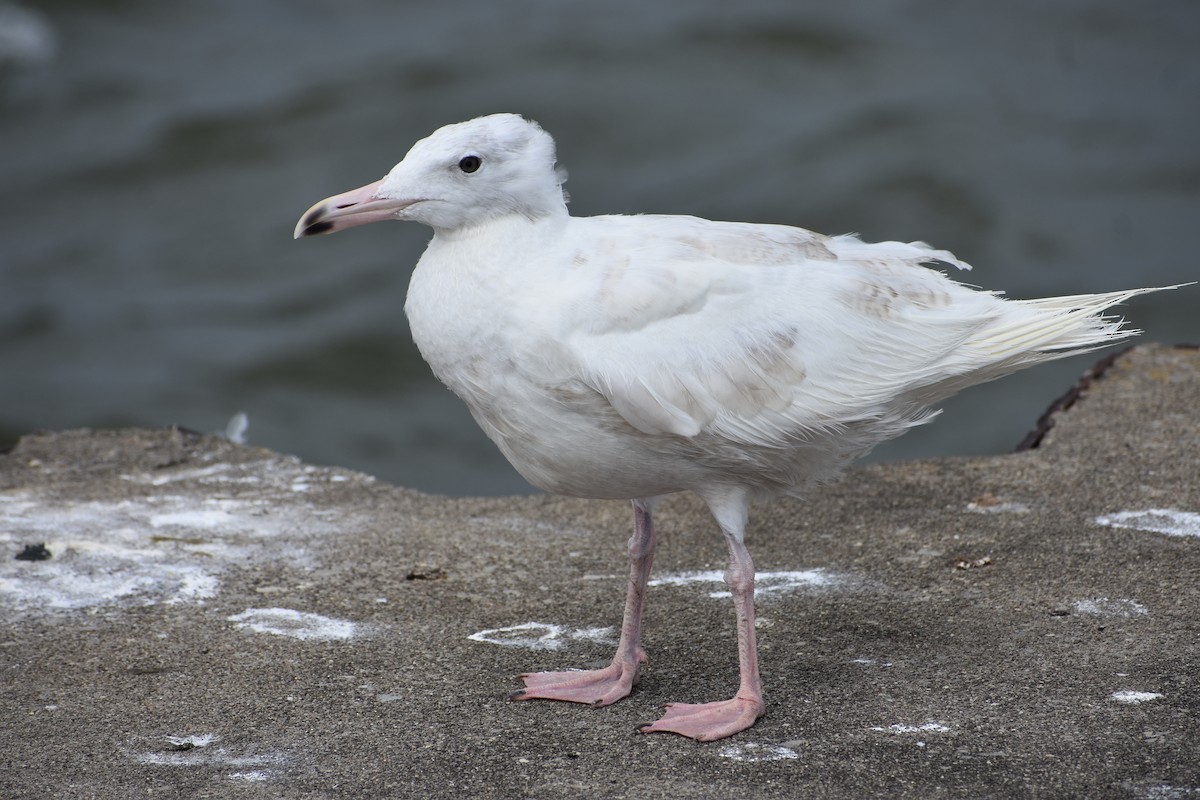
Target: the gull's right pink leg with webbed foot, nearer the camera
pixel 710 721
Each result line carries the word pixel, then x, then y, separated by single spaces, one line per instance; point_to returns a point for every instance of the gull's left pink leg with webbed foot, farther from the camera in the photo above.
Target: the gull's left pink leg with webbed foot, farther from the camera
pixel 615 682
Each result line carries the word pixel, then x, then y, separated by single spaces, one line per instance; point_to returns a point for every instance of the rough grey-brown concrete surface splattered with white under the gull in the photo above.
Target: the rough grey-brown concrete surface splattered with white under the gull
pixel 217 621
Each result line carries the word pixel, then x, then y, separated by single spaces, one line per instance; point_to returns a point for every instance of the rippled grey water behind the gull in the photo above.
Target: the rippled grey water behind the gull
pixel 154 158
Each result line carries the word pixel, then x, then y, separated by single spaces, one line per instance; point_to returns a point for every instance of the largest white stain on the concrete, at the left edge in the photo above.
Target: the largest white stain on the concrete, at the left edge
pixel 165 549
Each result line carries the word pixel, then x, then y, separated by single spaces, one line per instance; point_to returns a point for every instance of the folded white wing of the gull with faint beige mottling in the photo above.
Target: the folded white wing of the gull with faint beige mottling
pixel 760 334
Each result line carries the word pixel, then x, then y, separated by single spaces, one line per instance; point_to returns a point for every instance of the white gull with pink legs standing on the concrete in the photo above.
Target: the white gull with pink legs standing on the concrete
pixel 634 357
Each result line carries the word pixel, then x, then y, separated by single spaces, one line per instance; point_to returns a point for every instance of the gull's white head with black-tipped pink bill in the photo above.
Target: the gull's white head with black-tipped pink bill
pixel 459 177
